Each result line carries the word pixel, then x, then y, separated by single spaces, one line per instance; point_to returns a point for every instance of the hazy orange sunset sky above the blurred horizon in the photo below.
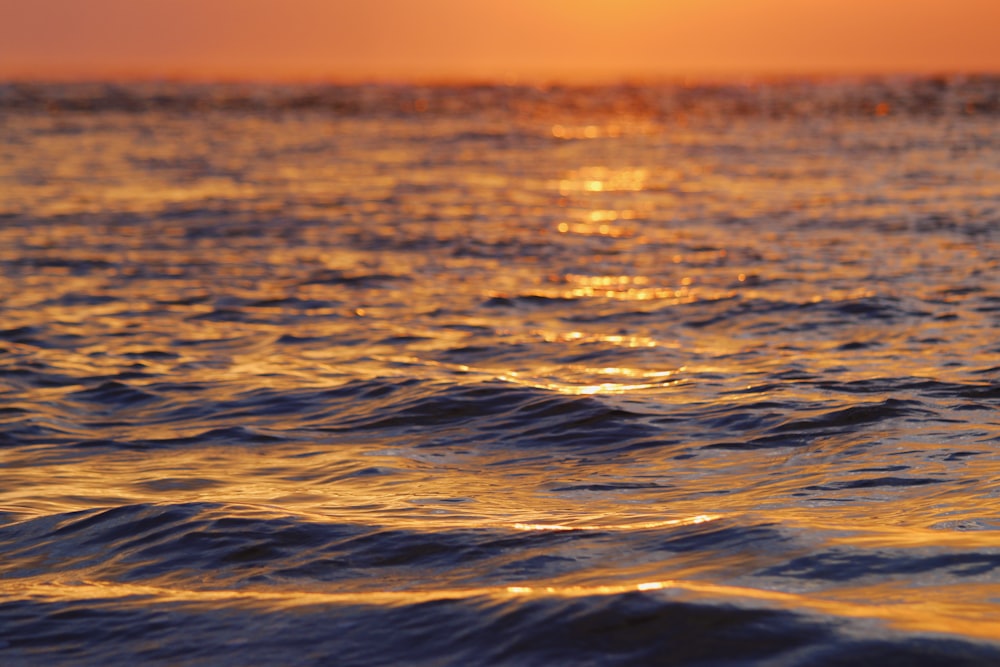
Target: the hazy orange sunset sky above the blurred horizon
pixel 492 39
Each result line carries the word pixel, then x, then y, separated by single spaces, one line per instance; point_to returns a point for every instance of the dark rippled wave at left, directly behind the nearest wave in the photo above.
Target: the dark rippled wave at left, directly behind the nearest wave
pixel 224 545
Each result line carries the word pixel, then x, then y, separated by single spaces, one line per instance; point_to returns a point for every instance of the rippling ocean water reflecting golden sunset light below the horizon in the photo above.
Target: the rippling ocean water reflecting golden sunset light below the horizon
pixel 500 375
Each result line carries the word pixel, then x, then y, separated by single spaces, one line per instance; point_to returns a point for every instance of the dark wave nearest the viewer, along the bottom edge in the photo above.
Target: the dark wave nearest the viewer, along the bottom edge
pixel 633 628
